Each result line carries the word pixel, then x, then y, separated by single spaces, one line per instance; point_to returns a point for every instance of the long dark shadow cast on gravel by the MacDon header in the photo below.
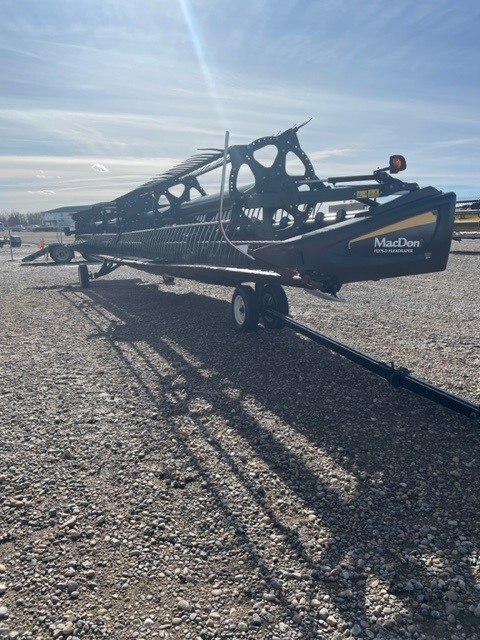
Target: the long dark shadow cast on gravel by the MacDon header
pixel 410 527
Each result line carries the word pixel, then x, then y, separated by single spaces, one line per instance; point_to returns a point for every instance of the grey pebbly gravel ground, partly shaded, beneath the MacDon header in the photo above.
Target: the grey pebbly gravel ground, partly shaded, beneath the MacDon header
pixel 164 477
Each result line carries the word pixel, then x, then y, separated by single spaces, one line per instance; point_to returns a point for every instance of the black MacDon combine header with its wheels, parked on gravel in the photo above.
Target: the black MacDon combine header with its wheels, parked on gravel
pixel 271 231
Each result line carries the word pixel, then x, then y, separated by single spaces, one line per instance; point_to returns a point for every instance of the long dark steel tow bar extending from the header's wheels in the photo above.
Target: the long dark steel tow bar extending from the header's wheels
pixel 397 376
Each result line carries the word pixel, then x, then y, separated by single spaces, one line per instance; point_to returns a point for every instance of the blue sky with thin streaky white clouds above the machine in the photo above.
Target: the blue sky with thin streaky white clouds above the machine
pixel 99 96
